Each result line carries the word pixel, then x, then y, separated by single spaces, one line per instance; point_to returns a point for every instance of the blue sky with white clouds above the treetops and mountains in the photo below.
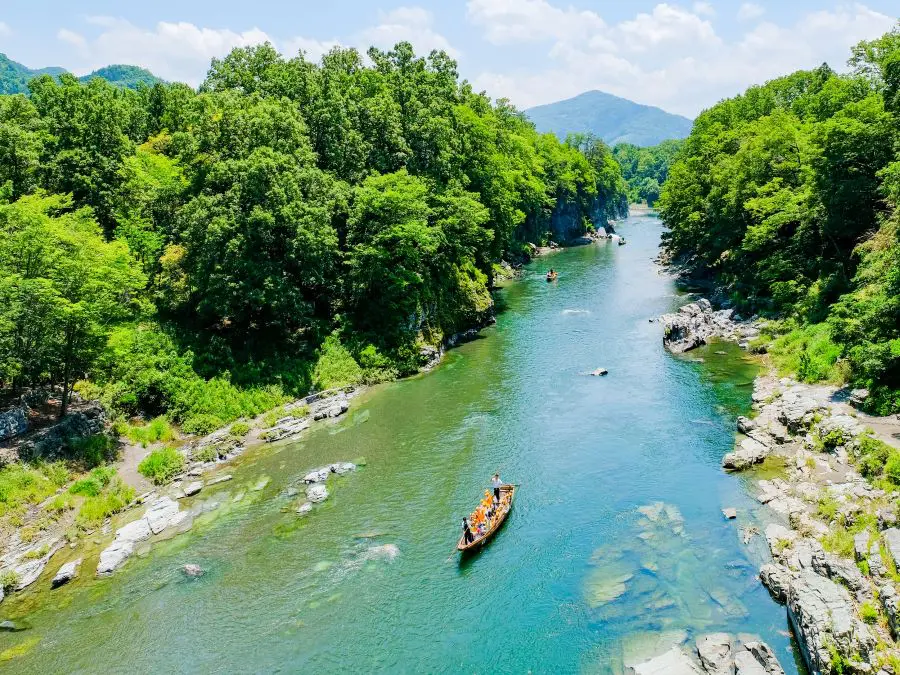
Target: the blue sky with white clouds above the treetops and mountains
pixel 682 56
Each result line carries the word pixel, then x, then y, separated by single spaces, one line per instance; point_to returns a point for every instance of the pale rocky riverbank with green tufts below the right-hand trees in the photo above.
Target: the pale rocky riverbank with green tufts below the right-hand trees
pixel 832 538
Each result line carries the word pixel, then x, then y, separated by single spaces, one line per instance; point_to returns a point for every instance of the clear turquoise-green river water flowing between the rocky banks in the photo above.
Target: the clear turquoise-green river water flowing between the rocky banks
pixel 578 579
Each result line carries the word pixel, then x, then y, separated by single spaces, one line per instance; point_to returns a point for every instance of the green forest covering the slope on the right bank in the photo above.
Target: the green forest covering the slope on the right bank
pixel 786 198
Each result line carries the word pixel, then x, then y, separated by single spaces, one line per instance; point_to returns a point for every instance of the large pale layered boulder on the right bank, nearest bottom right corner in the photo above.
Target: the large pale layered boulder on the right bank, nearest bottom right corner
pixel 823 617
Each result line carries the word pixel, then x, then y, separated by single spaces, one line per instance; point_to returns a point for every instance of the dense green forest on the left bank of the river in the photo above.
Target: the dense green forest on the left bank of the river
pixel 206 254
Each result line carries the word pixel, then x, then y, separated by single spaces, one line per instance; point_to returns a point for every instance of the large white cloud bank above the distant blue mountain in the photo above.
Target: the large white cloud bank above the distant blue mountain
pixel 678 74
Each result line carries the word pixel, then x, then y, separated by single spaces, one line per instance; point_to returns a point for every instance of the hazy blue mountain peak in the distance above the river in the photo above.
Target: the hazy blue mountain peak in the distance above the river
pixel 614 119
